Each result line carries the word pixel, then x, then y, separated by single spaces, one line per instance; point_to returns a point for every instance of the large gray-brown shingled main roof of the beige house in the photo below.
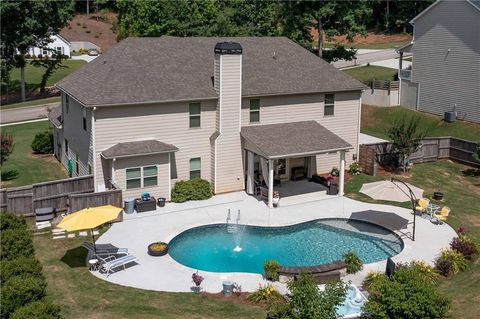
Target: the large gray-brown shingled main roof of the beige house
pixel 170 69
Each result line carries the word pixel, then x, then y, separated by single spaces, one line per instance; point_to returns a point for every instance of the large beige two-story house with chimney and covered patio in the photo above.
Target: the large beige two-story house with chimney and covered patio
pixel 152 111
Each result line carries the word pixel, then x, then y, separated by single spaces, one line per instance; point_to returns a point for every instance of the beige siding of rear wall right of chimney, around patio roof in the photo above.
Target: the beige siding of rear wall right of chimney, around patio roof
pixel 294 108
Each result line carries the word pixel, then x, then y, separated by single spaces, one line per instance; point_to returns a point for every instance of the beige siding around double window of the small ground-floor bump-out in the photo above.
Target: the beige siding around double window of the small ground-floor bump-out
pixel 160 161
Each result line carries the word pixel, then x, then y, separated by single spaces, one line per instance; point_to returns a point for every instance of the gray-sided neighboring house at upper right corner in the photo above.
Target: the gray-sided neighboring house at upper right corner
pixel 445 74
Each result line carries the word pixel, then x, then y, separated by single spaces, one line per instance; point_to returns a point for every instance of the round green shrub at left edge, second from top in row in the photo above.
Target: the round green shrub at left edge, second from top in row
pixel 15 243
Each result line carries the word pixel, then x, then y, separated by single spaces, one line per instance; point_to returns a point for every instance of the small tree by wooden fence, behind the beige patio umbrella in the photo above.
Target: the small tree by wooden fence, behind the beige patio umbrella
pixel 406 138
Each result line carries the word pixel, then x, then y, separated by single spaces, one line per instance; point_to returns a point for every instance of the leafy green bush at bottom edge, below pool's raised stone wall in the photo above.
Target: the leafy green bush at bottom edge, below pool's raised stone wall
pixel 308 302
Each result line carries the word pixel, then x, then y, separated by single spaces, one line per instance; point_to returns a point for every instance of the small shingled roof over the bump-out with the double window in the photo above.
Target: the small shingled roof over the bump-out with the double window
pixel 138 148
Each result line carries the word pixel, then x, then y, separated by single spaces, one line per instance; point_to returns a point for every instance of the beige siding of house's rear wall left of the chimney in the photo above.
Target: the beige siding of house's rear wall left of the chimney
pixel 167 122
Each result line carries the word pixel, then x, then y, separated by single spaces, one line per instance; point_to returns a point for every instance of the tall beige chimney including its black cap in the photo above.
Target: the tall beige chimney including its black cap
pixel 227 164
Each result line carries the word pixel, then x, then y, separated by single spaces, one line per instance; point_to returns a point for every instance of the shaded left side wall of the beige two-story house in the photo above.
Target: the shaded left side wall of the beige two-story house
pixel 79 139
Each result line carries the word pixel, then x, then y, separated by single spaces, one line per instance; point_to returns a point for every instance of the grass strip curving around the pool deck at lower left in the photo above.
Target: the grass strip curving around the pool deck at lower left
pixel 81 295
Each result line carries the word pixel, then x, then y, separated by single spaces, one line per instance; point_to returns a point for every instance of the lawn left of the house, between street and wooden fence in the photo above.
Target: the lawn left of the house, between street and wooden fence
pixel 23 167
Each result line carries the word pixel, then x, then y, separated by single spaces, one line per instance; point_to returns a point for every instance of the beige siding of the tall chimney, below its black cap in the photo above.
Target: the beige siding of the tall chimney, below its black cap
pixel 229 164
